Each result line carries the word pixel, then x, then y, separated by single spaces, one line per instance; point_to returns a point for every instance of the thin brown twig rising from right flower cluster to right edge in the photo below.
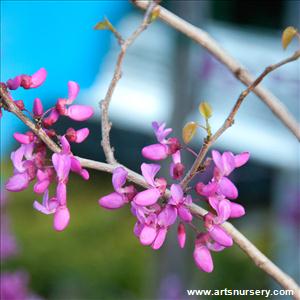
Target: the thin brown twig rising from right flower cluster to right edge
pixel 230 119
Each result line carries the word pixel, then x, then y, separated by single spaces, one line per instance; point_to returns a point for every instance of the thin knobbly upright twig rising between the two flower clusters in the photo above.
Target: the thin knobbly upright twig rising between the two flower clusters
pixel 104 104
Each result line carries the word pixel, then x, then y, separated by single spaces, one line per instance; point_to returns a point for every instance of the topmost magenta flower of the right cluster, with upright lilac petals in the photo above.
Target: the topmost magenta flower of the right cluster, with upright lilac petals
pixel 165 147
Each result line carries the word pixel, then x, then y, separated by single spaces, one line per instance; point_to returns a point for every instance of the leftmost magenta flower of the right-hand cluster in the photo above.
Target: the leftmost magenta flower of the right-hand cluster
pixel 121 195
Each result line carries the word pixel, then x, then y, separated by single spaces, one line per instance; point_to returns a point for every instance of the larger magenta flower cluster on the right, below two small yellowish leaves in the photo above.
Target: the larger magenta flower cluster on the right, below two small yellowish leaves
pixel 157 209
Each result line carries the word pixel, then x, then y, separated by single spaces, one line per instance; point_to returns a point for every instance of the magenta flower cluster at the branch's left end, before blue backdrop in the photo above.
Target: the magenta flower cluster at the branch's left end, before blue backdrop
pixel 30 160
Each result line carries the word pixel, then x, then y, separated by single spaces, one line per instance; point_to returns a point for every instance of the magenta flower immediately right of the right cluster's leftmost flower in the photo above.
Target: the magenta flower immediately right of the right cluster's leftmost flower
pixel 157 186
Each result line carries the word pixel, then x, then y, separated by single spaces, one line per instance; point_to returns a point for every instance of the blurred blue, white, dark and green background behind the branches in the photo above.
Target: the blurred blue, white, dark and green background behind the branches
pixel 165 77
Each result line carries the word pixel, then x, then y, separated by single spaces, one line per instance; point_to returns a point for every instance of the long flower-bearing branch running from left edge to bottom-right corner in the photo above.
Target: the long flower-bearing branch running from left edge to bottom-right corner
pixel 257 256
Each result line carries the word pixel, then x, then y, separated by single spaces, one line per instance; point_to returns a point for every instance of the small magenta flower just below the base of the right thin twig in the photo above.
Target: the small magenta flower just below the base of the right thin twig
pixel 179 201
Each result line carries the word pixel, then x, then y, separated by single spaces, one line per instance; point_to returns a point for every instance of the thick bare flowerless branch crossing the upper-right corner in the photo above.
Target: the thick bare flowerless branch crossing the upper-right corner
pixel 206 41
